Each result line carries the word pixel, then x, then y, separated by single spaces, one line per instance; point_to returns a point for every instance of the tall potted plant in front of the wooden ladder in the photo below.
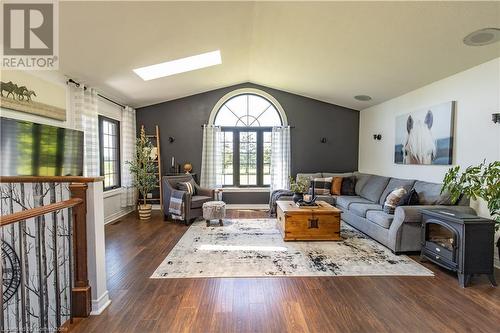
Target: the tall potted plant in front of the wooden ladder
pixel 144 171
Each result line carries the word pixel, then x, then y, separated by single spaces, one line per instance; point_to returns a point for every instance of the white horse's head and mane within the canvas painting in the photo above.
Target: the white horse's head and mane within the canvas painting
pixel 419 146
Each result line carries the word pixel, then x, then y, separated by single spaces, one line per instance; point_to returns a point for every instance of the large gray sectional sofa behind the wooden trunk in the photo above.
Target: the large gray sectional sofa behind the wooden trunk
pixel 399 232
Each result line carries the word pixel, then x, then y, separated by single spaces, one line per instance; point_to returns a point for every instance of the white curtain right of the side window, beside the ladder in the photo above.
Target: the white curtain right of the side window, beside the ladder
pixel 128 133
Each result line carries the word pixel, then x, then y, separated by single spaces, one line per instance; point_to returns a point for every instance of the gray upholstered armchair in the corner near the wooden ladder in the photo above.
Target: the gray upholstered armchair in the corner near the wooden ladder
pixel 192 203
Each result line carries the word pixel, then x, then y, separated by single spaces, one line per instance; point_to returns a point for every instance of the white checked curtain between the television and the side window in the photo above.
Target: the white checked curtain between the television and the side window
pixel 84 105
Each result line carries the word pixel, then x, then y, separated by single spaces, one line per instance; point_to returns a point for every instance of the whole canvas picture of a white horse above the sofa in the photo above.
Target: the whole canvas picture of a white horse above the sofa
pixel 425 136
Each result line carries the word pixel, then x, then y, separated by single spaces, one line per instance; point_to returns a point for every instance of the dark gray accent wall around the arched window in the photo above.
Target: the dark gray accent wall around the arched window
pixel 182 119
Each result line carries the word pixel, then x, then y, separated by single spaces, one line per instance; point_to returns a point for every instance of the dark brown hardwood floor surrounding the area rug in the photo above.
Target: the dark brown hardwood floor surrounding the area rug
pixel 134 250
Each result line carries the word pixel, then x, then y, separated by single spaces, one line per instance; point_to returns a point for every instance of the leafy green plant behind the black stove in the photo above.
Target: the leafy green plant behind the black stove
pixel 481 181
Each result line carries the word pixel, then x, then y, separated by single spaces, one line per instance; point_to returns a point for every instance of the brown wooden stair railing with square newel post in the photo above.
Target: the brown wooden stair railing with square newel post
pixel 80 297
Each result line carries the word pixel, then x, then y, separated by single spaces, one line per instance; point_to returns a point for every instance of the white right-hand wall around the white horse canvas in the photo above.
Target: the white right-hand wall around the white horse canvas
pixel 477 92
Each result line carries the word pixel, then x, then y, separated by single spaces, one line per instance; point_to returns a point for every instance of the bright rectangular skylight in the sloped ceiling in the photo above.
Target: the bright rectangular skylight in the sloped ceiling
pixel 179 66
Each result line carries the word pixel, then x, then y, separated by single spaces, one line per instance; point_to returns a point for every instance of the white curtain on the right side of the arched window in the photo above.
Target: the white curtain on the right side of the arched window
pixel 280 158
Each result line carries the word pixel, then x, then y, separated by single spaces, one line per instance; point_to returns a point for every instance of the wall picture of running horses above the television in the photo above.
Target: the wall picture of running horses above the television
pixel 24 92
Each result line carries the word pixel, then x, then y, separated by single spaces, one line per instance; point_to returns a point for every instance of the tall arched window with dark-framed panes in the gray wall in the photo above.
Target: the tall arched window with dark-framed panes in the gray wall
pixel 246 117
